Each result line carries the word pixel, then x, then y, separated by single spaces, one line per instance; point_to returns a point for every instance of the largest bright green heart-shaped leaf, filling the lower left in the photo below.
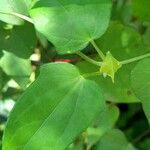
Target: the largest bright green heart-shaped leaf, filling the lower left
pixel 54 110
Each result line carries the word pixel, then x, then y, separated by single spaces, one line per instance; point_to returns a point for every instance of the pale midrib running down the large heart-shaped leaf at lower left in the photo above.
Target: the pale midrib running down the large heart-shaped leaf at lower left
pixel 71 91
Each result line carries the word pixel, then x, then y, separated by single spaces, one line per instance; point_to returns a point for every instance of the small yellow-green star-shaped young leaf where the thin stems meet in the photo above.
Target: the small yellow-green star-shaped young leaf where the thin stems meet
pixel 110 66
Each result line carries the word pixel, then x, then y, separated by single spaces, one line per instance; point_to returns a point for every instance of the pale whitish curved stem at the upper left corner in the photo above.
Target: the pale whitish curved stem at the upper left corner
pixel 26 18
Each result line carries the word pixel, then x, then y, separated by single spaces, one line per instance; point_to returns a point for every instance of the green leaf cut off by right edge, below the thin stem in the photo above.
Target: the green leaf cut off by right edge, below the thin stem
pixel 140 78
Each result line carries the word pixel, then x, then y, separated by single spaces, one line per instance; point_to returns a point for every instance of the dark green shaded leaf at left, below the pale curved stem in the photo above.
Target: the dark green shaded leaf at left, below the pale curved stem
pixel 18 40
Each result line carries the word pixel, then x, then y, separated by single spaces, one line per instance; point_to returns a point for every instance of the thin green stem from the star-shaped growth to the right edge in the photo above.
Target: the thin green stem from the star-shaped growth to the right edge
pixel 134 59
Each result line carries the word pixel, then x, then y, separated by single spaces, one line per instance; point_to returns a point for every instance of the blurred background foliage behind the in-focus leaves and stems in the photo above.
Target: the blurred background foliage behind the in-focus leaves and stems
pixel 123 125
